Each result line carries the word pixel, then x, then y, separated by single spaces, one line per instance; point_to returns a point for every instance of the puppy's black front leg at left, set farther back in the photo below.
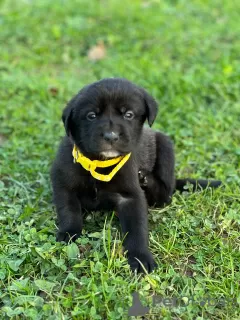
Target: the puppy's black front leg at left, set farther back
pixel 69 214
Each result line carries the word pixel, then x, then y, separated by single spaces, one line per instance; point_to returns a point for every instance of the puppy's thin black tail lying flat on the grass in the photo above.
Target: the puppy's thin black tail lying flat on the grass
pixel 198 184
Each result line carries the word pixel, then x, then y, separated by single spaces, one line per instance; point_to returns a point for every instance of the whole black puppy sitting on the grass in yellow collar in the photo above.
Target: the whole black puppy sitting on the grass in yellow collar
pixel 105 121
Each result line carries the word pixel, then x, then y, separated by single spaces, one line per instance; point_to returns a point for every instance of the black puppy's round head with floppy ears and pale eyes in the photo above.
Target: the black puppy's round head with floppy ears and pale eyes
pixel 105 119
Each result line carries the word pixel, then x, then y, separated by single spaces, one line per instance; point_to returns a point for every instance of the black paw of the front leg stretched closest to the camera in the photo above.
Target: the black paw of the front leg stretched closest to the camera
pixel 146 261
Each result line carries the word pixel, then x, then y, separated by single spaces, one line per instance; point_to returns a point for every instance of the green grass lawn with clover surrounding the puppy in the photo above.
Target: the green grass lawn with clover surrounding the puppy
pixel 186 53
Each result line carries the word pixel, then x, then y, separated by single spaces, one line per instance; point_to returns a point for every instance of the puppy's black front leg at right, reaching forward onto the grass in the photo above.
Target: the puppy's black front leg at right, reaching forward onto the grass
pixel 132 212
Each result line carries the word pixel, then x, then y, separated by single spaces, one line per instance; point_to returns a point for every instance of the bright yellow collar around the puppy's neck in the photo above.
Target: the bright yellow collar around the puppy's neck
pixel 91 165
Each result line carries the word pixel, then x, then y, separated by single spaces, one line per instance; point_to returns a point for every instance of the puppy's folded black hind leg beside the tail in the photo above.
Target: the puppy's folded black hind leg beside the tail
pixel 160 183
